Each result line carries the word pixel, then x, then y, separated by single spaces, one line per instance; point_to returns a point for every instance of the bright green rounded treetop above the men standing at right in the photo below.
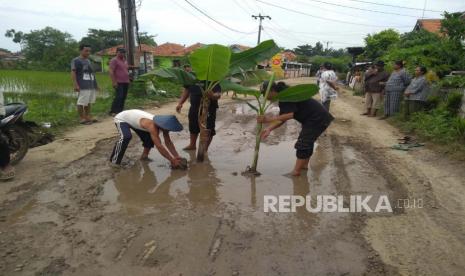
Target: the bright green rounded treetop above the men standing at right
pixel 378 44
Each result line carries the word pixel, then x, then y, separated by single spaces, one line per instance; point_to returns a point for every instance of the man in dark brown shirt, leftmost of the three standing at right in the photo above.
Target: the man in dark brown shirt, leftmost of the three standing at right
pixel 375 80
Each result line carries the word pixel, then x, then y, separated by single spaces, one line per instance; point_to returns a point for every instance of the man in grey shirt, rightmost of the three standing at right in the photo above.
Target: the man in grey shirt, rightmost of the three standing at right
pixel 417 92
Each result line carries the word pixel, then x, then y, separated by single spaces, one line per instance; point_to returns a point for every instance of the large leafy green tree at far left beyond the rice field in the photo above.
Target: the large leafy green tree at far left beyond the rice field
pixel 46 49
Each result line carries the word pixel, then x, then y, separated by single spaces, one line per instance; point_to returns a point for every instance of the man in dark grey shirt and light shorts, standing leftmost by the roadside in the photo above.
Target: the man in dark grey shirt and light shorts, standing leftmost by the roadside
pixel 85 84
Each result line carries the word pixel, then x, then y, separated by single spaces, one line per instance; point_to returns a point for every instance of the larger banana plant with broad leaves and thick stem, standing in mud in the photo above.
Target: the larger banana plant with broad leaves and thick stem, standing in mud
pixel 213 64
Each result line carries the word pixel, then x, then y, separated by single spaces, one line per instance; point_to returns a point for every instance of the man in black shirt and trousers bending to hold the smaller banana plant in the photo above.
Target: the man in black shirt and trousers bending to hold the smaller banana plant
pixel 310 113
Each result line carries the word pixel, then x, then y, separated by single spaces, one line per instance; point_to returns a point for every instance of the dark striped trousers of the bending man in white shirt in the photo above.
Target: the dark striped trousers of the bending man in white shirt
pixel 124 130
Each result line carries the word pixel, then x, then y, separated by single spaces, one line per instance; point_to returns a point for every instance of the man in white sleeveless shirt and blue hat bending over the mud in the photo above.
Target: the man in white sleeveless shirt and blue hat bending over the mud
pixel 148 127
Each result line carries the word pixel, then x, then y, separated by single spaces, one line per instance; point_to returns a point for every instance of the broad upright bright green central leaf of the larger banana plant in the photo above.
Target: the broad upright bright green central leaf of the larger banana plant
pixel 211 62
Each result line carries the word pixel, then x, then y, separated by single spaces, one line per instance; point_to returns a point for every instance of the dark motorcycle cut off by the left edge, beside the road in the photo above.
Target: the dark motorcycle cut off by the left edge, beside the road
pixel 19 134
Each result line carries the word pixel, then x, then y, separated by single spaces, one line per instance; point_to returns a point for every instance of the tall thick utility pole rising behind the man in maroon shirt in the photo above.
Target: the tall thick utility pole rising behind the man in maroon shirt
pixel 129 27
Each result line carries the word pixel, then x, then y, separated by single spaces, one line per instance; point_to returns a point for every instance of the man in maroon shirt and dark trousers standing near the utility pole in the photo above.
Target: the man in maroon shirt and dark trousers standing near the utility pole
pixel 119 75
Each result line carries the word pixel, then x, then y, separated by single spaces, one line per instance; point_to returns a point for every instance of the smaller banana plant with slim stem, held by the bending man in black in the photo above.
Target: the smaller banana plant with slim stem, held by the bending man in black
pixel 295 93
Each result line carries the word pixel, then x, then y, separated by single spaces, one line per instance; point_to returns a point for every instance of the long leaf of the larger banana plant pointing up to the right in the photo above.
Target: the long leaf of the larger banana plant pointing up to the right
pixel 248 59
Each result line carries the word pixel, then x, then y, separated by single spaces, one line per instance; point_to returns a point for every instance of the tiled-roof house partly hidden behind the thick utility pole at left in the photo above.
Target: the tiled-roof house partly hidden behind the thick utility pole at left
pixel 143 53
